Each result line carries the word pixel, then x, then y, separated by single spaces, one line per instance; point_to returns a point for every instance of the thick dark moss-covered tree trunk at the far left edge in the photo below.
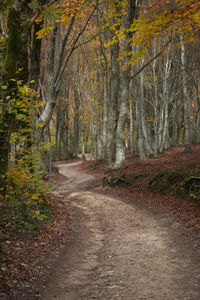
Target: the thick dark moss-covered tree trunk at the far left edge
pixel 18 24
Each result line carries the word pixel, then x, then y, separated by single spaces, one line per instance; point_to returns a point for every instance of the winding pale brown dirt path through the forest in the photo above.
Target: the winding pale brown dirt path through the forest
pixel 118 251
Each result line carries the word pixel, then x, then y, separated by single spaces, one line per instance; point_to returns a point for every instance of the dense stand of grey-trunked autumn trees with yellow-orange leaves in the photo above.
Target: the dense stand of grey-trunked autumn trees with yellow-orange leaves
pixel 107 75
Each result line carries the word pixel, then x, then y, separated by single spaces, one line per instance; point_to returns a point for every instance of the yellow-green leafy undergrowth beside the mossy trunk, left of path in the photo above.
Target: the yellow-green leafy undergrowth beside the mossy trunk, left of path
pixel 24 202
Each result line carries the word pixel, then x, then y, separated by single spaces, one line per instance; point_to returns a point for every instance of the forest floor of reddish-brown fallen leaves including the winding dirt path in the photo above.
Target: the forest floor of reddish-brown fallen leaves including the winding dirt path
pixel 119 241
